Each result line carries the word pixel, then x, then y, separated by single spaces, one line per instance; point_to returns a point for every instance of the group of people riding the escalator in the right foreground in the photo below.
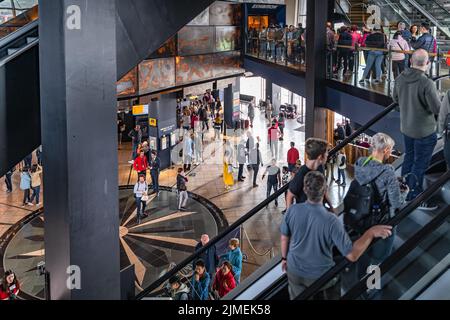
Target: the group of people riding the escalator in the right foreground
pixel 309 232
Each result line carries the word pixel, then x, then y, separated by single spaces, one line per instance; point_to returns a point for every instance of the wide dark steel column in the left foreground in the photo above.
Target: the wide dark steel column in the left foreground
pixel 78 108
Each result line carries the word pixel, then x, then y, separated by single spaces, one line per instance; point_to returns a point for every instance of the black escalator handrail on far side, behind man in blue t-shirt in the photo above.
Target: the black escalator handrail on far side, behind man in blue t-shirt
pixel 256 209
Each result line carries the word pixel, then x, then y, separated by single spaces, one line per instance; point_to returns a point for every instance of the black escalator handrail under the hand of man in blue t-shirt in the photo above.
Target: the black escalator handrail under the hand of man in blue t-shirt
pixel 395 221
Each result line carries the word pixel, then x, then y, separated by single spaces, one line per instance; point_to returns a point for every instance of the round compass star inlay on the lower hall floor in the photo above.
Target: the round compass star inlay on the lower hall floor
pixel 166 237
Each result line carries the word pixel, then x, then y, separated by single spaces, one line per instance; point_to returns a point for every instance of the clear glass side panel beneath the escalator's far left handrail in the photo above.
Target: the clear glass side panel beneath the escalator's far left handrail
pixel 258 232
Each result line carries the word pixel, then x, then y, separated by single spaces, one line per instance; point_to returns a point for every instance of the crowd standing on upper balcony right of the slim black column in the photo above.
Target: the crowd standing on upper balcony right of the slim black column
pixel 343 45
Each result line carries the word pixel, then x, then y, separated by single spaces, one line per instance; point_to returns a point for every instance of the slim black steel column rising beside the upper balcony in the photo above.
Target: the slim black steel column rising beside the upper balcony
pixel 315 68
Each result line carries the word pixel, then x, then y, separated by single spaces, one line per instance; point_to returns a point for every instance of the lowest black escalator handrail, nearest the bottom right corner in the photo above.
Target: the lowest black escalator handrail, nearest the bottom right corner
pixel 358 289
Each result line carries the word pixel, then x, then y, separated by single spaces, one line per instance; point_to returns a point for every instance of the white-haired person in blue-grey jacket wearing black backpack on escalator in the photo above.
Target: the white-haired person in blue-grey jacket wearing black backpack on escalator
pixel 374 196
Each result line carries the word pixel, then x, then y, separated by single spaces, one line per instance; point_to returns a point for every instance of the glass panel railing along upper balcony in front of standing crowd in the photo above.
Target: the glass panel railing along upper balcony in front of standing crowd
pixel 348 64
